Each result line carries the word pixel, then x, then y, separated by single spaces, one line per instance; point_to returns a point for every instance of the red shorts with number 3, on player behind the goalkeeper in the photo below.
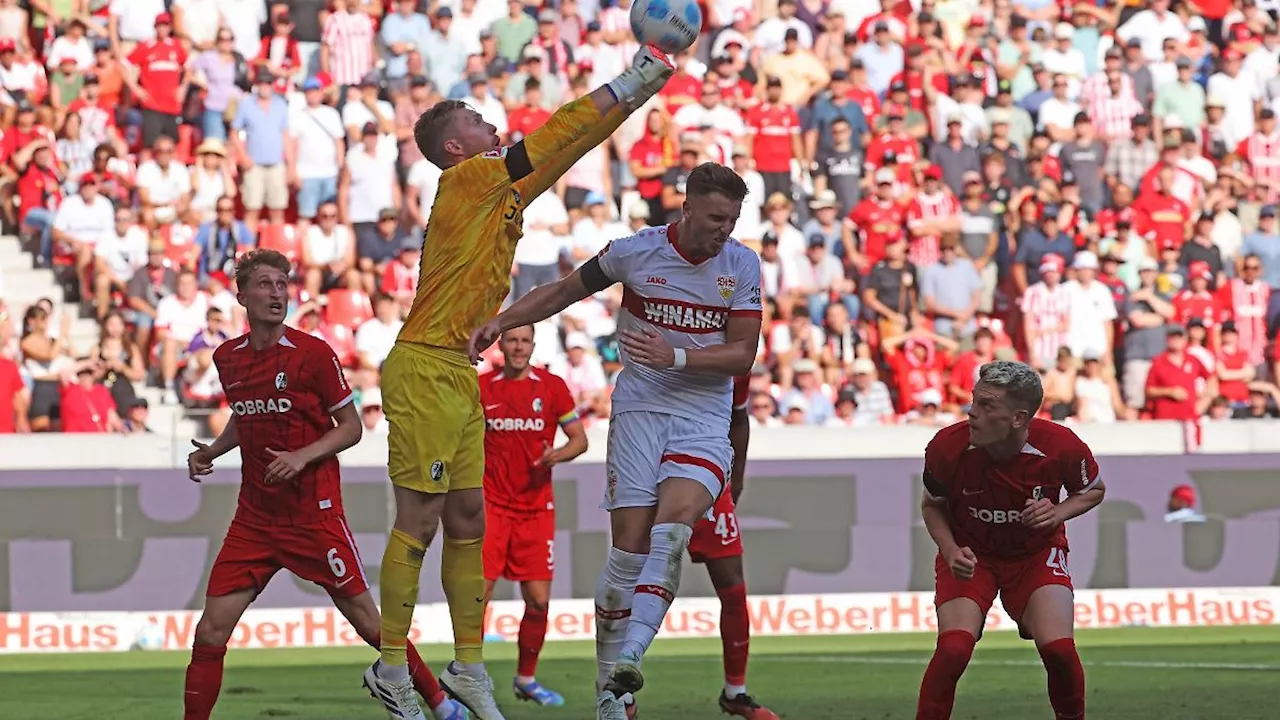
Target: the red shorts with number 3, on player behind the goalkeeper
pixel 519 546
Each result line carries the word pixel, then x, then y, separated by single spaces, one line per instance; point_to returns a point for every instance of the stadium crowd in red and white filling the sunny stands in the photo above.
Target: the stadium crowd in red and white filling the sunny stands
pixel 1090 186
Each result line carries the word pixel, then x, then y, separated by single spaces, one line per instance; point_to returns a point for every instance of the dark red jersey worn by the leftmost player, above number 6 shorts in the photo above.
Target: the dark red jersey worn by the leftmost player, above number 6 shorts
pixel 284 398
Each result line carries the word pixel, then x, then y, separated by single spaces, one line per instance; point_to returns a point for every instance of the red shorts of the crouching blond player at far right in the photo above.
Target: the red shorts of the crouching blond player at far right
pixel 1013 580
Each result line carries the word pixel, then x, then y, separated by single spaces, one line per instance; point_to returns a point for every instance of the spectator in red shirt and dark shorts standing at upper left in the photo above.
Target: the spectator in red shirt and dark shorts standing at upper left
pixel 158 78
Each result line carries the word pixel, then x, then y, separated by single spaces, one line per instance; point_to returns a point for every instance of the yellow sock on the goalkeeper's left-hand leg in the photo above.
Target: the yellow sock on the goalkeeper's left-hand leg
pixel 399 577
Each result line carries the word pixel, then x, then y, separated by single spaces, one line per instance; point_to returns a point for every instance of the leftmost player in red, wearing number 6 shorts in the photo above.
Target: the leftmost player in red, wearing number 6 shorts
pixel 292 416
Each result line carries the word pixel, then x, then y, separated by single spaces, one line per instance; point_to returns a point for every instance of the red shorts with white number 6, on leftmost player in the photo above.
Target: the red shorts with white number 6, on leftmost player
pixel 323 553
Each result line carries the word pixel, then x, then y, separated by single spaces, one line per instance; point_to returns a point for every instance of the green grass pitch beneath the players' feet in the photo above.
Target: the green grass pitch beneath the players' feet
pixel 1133 675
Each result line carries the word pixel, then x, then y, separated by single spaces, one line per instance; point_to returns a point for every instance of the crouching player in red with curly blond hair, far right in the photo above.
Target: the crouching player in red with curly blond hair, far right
pixel 993 489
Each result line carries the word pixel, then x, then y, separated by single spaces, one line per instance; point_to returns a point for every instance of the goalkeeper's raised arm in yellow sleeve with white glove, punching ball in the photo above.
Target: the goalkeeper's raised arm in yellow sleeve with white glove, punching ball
pixel 541 160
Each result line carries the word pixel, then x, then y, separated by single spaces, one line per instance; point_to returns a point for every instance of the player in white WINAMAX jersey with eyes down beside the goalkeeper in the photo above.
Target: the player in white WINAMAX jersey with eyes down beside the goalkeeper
pixel 691 322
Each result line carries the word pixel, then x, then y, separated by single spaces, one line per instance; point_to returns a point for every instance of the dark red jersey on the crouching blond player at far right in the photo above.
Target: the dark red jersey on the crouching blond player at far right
pixel 986 499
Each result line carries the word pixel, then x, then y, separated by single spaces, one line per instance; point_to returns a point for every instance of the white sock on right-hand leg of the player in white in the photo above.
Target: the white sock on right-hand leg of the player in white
pixel 660 580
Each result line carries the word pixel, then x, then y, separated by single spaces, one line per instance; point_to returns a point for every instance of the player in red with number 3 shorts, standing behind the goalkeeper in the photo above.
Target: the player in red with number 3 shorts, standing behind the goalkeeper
pixel 523 408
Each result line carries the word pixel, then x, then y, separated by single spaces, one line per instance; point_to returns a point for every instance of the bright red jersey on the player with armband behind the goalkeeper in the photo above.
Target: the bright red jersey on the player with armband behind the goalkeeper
pixel 522 417
